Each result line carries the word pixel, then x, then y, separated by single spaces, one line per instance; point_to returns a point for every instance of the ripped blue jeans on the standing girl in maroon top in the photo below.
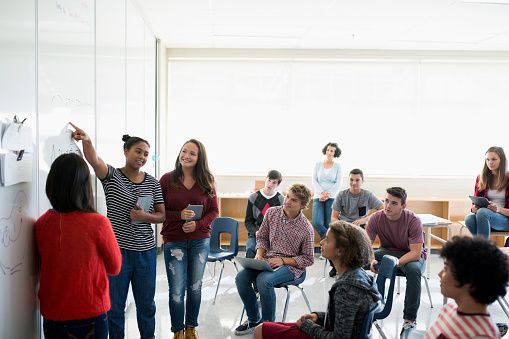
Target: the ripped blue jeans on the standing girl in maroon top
pixel 185 263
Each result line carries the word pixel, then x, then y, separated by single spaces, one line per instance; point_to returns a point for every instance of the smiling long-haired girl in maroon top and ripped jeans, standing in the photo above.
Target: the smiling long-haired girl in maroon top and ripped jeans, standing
pixel 186 236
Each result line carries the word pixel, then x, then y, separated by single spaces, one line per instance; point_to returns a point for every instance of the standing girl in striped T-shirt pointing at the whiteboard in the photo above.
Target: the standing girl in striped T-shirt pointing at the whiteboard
pixel 134 201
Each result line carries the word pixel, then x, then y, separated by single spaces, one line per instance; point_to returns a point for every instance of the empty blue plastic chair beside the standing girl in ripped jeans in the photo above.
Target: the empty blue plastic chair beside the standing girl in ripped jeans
pixel 217 253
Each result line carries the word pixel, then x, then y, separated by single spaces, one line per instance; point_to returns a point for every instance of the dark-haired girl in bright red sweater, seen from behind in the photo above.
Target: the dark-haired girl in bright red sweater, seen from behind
pixel 77 249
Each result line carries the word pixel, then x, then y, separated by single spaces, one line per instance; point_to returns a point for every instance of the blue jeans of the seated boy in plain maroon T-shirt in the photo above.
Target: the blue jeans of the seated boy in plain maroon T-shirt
pixel 413 272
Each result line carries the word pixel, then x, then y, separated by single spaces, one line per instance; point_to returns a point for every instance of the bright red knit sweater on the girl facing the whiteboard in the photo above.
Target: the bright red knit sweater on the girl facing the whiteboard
pixel 77 250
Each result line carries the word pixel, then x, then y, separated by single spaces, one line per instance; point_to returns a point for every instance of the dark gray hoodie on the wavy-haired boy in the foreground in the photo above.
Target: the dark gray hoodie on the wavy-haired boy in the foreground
pixel 350 298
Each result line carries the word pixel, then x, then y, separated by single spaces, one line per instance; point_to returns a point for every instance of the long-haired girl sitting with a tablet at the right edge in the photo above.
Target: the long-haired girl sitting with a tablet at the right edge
pixel 493 184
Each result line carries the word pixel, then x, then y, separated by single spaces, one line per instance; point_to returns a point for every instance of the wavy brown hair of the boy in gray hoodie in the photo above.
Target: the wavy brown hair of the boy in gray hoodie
pixel 353 243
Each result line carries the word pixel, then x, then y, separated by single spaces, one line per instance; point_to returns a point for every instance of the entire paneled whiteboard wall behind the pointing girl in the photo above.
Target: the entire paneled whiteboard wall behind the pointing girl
pixel 80 74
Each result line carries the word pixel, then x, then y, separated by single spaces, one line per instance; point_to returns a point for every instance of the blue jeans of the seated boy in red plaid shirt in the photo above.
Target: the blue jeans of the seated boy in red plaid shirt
pixel 265 282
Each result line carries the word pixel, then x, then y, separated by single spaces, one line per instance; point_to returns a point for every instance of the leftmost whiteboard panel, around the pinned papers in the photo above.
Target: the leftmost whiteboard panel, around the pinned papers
pixel 18 300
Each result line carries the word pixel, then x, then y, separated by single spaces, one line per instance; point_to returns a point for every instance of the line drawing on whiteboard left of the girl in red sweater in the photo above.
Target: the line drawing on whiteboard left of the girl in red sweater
pixel 11 227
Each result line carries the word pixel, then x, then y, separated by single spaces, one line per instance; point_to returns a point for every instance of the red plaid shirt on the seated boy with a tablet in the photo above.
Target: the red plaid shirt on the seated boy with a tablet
pixel 282 237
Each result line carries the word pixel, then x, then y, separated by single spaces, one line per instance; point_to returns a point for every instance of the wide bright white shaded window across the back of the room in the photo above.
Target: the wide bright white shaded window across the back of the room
pixel 394 114
